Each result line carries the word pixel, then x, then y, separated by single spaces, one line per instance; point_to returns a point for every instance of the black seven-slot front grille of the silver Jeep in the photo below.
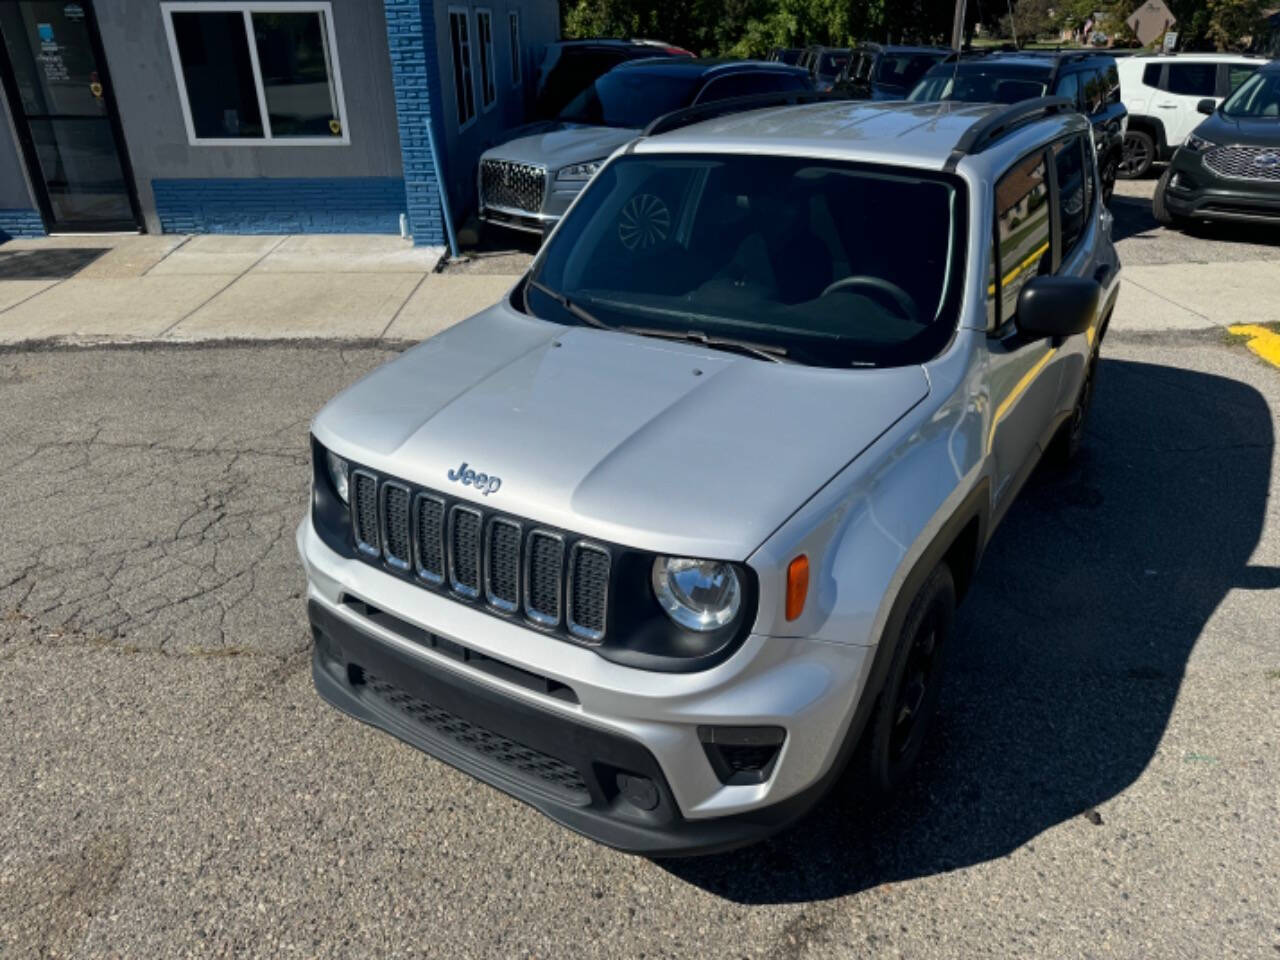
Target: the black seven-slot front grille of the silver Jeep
pixel 557 582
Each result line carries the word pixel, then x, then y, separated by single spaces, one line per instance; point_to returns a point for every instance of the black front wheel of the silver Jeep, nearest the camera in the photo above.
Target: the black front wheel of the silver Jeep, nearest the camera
pixel 900 720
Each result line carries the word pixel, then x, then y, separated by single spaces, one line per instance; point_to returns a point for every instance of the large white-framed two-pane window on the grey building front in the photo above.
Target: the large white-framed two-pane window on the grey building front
pixel 255 74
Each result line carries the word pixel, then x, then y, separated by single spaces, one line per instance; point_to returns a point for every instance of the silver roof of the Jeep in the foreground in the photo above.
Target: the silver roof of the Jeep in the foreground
pixel 917 135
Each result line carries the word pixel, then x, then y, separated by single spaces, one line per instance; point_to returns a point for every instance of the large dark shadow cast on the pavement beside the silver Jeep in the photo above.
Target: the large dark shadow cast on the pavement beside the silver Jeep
pixel 1069 651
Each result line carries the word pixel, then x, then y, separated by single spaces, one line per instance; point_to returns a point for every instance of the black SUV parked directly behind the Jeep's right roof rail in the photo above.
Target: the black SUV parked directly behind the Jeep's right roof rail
pixel 1089 79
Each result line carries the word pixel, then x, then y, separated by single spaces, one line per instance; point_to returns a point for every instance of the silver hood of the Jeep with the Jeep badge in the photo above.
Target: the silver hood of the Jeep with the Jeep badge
pixel 659 446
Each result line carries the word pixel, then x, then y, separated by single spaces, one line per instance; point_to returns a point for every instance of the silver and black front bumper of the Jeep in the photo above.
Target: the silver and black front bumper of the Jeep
pixel 600 732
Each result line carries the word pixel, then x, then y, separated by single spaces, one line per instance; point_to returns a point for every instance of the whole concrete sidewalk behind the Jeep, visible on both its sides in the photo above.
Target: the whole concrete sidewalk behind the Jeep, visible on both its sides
pixel 368 287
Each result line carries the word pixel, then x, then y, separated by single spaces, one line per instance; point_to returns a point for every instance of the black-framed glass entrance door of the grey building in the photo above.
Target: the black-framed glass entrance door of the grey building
pixel 60 94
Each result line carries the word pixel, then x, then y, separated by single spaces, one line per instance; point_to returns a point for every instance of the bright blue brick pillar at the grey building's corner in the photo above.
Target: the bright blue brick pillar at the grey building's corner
pixel 412 40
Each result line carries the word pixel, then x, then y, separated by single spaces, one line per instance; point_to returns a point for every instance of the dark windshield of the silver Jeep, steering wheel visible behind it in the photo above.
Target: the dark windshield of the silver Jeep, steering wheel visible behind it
pixel 836 264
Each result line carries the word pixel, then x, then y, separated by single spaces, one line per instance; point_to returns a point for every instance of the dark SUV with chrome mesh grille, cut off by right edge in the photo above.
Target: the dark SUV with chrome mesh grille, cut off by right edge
pixel 1229 170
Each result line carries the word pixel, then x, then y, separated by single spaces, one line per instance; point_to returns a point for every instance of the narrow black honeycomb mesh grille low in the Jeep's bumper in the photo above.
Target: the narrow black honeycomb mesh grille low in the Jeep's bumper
pixel 522 760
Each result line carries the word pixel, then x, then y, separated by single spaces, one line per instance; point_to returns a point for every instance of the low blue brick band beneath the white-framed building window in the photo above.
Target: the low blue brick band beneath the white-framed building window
pixel 281 205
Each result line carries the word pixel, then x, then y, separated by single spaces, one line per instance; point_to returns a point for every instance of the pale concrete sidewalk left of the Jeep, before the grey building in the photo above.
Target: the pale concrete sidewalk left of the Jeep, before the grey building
pixel 225 287
